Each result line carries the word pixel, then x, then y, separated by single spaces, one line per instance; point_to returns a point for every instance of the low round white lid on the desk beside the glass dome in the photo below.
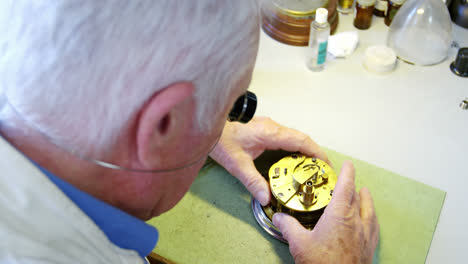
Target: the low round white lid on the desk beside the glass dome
pixel 379 59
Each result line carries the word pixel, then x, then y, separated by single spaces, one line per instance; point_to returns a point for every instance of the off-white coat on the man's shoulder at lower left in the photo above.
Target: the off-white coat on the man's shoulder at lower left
pixel 40 224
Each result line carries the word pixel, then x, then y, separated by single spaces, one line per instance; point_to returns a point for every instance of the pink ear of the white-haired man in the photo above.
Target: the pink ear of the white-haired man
pixel 162 120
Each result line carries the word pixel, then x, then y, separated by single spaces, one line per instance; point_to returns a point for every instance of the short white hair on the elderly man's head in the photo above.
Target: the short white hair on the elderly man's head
pixel 79 70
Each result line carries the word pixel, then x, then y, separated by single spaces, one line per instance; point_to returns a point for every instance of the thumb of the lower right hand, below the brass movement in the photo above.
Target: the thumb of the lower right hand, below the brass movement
pixel 291 229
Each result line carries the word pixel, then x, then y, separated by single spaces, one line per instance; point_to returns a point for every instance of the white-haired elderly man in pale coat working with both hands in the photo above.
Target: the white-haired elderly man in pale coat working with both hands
pixel 109 109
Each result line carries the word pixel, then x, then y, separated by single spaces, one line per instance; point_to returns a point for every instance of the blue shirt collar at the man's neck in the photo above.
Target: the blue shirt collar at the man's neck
pixel 122 229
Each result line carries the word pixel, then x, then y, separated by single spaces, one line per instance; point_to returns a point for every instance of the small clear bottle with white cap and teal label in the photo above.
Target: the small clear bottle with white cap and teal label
pixel 318 41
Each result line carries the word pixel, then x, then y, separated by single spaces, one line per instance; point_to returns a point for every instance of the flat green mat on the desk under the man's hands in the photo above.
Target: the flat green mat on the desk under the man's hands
pixel 214 222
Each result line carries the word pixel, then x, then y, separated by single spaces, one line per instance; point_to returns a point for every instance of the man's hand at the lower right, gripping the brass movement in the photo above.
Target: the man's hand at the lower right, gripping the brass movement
pixel 347 232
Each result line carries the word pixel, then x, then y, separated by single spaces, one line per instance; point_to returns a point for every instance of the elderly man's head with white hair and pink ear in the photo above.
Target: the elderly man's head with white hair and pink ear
pixel 144 84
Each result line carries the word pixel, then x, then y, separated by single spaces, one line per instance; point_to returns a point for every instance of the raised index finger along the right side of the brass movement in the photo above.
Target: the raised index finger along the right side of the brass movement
pixel 344 188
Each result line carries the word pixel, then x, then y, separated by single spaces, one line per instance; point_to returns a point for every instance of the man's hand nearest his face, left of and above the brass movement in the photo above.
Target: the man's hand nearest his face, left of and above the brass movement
pixel 240 144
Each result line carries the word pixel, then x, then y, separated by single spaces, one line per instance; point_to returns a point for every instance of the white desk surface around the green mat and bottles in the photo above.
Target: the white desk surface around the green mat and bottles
pixel 408 121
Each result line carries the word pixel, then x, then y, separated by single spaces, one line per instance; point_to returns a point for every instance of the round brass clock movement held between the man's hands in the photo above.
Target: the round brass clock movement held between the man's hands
pixel 301 186
